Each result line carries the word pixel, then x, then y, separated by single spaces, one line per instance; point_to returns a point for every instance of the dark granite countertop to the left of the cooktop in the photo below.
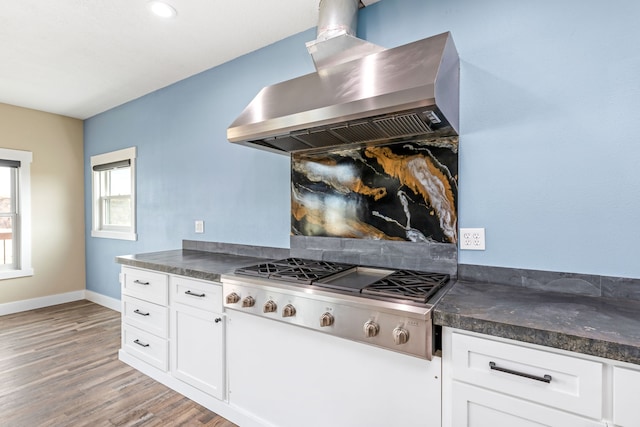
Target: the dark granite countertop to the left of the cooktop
pixel 190 263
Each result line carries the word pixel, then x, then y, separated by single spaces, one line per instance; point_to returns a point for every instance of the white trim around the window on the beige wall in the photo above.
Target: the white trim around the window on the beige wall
pixel 24 209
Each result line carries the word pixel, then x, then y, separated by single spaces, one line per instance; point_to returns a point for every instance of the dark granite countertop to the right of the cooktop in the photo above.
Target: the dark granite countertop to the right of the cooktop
pixel 598 326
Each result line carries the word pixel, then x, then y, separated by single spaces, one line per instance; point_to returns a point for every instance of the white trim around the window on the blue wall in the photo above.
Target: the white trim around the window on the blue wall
pixel 100 159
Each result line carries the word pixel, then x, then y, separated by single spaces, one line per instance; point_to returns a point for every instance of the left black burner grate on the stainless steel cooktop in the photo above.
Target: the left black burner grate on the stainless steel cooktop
pixel 296 270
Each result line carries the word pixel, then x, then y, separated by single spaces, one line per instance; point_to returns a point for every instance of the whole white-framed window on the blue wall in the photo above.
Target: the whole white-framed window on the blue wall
pixel 113 180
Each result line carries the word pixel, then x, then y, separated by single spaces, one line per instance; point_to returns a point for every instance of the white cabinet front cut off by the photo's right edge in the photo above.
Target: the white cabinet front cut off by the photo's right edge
pixel 626 389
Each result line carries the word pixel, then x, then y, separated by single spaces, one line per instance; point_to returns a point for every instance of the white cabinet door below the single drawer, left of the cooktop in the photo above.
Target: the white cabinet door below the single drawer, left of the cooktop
pixel 197 349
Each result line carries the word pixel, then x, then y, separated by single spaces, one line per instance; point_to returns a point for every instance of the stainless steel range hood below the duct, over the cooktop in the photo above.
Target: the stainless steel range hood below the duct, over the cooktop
pixel 411 91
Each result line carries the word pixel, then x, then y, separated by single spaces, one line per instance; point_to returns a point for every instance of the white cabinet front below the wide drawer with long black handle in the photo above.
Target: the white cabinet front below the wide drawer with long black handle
pixel 478 407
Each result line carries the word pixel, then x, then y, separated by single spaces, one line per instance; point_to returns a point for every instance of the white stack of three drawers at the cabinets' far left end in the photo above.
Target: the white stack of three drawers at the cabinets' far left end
pixel 145 315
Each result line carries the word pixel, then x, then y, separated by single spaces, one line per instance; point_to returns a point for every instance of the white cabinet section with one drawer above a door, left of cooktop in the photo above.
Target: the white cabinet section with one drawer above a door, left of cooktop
pixel 197 334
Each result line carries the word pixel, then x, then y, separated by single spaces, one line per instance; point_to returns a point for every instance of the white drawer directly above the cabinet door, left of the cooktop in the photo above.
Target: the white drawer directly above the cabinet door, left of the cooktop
pixel 197 293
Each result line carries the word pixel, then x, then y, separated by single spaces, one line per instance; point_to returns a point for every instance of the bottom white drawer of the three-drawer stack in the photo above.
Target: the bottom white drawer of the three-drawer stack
pixel 145 346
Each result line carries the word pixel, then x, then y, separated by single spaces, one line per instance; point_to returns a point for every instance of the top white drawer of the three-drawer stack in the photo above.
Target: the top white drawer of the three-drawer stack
pixel 146 285
